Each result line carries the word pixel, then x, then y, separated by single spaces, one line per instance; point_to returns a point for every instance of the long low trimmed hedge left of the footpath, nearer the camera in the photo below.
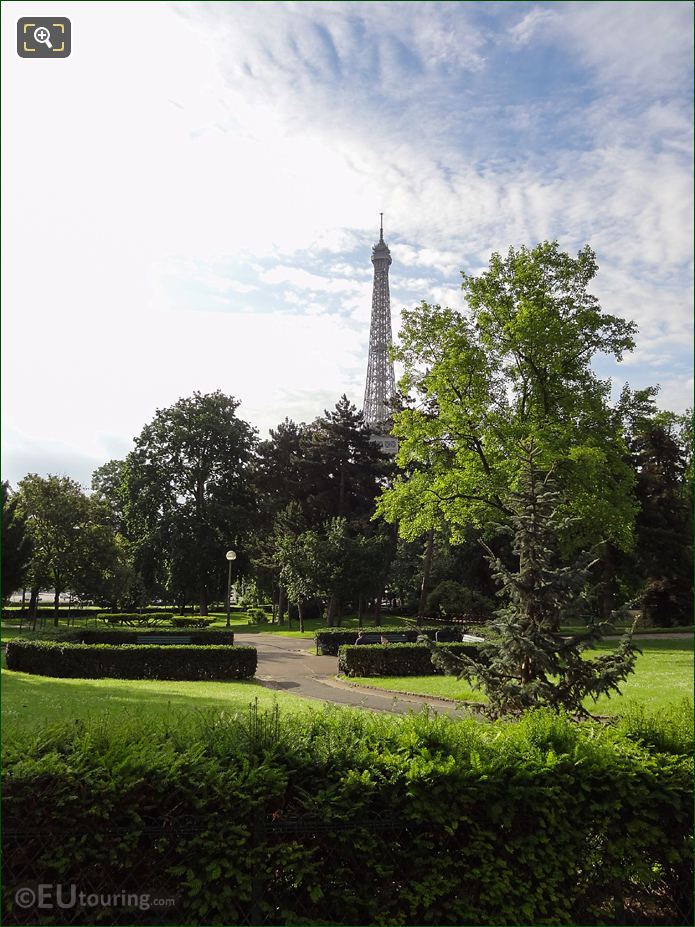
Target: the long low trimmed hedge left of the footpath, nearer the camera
pixel 127 661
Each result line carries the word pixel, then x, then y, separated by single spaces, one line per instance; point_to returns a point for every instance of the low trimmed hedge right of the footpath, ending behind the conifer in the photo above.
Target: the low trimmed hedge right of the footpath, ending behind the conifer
pixel 396 659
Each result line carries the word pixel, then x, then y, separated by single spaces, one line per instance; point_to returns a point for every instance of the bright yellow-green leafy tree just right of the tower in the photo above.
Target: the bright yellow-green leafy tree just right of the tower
pixel 515 367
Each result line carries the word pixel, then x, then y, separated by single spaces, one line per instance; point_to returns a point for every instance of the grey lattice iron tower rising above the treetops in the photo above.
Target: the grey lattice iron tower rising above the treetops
pixel 381 382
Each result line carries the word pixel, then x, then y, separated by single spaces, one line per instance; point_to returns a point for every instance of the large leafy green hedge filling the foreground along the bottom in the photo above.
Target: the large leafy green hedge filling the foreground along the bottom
pixel 407 821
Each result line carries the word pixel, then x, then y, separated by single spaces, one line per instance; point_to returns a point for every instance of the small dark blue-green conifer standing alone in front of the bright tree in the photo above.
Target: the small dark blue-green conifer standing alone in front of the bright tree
pixel 531 663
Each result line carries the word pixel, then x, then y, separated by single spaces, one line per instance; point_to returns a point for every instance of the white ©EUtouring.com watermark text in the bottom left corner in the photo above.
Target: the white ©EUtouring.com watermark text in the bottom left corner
pixel 48 896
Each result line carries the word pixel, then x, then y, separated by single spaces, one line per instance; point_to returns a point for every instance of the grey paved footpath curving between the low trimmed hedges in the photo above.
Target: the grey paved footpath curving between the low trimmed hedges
pixel 290 664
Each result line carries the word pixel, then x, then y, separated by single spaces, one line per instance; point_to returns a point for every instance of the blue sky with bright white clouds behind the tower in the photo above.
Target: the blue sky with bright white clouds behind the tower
pixel 210 177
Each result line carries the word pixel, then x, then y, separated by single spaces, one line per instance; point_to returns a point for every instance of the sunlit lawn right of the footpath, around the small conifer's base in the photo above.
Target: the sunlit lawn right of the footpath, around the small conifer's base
pixel 663 677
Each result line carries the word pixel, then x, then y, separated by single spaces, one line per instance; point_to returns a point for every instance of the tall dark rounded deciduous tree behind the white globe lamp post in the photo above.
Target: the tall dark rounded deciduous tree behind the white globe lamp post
pixel 189 493
